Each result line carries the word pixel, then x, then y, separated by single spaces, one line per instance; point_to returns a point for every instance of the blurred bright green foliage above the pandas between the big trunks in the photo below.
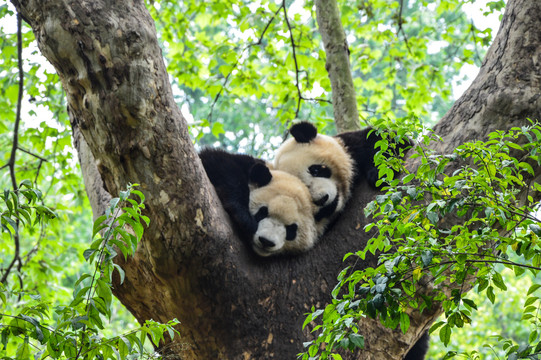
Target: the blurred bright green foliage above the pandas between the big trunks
pixel 245 71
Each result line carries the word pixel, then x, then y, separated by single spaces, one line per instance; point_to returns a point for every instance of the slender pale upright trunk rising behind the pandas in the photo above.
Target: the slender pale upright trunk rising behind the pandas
pixel 346 115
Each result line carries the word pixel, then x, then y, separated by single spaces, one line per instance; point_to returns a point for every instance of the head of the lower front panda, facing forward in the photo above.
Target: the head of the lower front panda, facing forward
pixel 282 207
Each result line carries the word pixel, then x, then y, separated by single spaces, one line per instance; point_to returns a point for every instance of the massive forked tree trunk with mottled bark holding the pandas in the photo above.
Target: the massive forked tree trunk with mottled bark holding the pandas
pixel 190 265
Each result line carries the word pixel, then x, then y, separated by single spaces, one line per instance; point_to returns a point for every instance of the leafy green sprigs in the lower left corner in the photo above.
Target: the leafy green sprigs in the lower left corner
pixel 31 327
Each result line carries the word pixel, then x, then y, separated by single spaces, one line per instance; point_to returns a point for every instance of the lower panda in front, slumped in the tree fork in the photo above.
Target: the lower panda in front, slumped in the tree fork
pixel 271 209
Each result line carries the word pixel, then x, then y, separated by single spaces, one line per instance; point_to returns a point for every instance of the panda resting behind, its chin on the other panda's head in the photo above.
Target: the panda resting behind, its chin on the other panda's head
pixel 329 165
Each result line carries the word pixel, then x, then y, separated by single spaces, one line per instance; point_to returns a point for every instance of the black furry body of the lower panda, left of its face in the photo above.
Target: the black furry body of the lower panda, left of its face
pixel 230 175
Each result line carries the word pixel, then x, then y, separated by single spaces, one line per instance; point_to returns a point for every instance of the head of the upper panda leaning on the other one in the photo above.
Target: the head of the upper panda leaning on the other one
pixel 323 165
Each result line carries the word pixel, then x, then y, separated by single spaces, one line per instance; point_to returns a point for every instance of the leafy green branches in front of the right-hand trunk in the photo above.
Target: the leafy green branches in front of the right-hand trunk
pixel 417 238
